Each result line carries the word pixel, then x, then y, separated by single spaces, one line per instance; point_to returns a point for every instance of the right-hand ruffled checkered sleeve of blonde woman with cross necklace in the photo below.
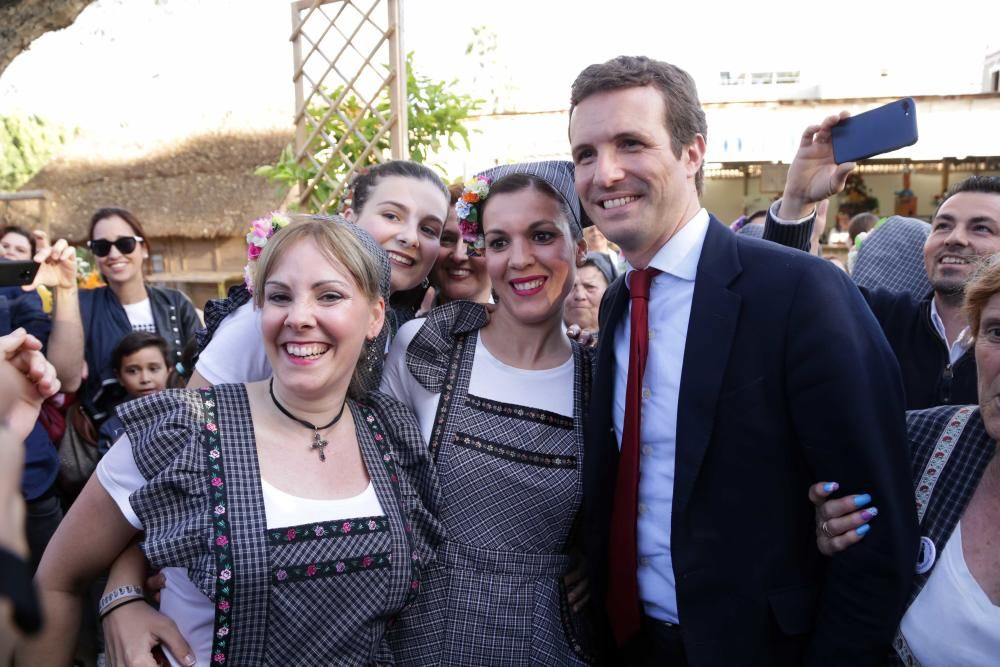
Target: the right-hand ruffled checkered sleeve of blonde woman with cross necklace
pixel 418 483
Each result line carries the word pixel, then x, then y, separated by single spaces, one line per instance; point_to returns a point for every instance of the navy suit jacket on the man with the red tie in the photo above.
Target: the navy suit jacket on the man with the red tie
pixel 765 410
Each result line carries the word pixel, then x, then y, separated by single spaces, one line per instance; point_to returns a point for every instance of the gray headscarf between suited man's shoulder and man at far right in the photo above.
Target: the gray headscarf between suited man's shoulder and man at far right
pixel 892 257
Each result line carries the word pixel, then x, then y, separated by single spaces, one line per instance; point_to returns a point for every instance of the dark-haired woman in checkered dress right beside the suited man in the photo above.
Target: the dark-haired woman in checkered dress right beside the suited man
pixel 501 402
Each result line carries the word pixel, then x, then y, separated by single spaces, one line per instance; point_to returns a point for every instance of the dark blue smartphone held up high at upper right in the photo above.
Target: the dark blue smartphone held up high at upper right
pixel 874 132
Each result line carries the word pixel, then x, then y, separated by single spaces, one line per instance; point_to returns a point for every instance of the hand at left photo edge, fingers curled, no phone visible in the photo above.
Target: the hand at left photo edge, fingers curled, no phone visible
pixel 27 379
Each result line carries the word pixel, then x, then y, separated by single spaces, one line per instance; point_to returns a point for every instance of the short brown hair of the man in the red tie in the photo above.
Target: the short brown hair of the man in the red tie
pixel 684 116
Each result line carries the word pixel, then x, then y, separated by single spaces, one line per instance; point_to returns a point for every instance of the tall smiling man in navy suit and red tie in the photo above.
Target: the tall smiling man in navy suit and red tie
pixel 699 536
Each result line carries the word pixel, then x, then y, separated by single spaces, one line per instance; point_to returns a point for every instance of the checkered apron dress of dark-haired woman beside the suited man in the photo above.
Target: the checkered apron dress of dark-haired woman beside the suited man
pixel 510 478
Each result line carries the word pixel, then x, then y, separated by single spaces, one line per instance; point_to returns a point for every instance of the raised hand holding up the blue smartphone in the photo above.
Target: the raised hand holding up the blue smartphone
pixel 813 175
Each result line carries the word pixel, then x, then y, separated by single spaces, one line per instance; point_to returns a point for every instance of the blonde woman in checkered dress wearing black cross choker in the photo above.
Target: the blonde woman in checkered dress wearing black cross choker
pixel 292 517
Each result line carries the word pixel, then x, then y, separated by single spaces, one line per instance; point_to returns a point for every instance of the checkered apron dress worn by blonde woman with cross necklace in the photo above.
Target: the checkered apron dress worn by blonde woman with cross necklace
pixel 309 594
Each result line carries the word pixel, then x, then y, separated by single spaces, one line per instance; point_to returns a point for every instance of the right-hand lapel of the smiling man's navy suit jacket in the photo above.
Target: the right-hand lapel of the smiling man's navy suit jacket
pixel 714 315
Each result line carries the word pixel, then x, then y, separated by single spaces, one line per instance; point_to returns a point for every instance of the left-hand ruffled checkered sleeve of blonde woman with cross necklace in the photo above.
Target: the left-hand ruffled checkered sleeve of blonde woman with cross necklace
pixel 174 505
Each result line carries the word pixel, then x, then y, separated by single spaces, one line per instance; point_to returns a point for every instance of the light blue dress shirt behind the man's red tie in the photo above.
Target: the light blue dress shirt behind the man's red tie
pixel 670 299
